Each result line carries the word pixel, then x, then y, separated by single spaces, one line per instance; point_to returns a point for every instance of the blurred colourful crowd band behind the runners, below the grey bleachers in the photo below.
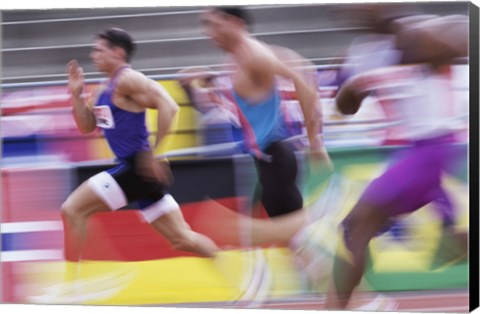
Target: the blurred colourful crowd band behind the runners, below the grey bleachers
pixel 37 121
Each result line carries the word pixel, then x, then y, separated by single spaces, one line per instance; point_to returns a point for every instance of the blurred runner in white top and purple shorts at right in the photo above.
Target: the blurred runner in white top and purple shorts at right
pixel 415 78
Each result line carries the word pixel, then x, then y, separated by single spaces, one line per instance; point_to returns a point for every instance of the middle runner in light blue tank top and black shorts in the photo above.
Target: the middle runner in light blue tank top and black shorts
pixel 256 68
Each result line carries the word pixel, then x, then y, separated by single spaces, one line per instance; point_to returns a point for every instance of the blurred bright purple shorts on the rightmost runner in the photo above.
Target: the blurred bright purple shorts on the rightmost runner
pixel 415 179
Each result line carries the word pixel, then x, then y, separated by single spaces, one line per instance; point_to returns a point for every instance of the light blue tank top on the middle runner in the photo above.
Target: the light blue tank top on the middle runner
pixel 265 118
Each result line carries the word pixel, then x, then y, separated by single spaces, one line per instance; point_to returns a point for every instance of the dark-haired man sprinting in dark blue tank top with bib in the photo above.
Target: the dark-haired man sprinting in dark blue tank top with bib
pixel 119 110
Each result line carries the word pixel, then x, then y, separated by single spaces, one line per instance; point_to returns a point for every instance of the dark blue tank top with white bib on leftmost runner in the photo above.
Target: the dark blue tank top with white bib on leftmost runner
pixel 125 131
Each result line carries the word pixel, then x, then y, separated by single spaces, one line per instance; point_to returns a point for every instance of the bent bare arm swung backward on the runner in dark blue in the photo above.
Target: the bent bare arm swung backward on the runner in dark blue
pixel 149 94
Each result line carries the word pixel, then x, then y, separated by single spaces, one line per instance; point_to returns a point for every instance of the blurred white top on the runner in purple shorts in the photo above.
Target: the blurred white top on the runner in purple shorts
pixel 422 99
